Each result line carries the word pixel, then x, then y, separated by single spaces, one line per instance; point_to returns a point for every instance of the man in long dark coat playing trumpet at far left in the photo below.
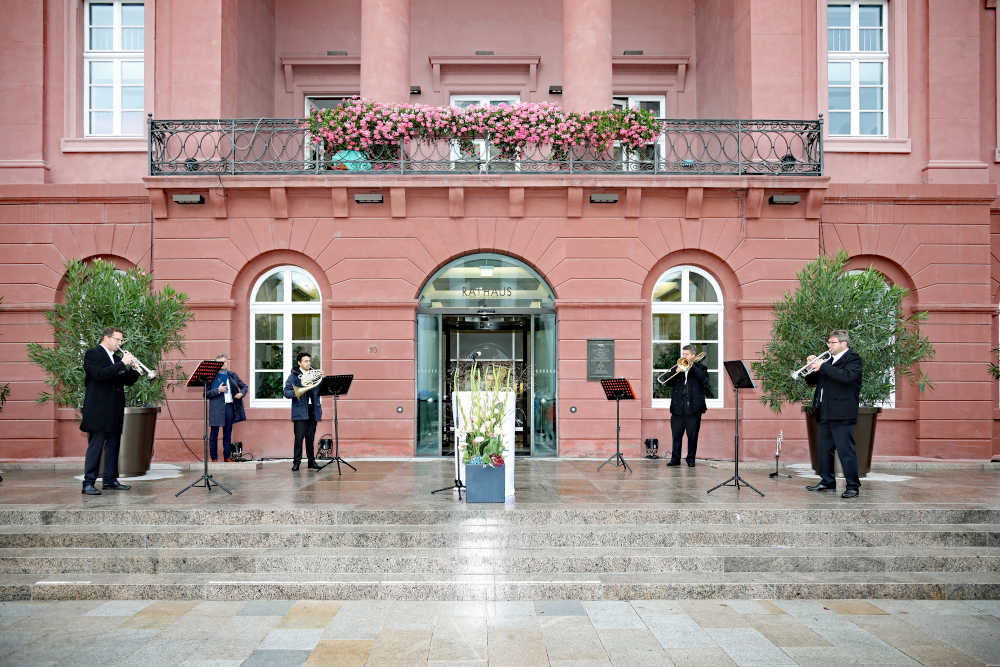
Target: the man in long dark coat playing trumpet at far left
pixel 104 408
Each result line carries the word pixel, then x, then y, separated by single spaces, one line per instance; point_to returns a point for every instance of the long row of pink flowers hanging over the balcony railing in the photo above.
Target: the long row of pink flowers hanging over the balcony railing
pixel 365 125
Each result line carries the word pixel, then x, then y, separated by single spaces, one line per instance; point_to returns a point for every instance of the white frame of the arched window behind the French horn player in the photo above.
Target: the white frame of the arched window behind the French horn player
pixel 286 308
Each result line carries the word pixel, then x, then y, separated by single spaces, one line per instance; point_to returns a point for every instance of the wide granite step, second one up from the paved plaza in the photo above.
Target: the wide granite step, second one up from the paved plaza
pixel 554 560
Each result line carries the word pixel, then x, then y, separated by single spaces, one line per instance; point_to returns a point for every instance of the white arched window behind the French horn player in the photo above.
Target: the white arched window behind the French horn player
pixel 285 319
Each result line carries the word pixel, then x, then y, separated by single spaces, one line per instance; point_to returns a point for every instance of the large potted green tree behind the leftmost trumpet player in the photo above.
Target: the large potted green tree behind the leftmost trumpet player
pixel 98 295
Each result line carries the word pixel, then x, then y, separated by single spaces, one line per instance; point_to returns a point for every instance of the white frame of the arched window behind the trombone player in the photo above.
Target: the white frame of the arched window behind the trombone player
pixel 686 309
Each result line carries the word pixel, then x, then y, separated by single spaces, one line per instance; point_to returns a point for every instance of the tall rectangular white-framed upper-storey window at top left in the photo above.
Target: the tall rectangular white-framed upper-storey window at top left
pixel 114 69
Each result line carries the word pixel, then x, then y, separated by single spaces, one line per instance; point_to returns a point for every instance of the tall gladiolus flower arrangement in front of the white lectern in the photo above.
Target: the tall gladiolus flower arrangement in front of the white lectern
pixel 483 416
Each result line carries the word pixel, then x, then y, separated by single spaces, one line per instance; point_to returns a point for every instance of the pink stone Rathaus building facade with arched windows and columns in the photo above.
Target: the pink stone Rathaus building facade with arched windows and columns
pixel 400 276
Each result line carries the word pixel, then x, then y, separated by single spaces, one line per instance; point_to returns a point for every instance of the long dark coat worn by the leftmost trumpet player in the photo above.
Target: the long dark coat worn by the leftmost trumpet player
pixel 104 403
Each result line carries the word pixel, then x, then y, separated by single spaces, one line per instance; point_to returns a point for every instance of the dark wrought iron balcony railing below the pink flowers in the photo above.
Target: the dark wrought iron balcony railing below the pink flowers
pixel 282 146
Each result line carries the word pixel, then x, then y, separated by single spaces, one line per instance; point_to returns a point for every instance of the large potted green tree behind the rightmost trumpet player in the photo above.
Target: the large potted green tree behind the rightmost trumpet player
pixel 871 311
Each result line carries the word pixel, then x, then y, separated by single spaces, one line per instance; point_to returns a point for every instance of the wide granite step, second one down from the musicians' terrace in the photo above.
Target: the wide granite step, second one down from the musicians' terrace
pixel 498 536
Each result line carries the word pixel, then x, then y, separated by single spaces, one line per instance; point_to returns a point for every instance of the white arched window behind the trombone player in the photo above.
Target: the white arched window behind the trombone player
pixel 687 310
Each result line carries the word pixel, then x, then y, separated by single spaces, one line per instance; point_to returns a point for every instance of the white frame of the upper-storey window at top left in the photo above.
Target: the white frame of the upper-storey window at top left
pixel 117 57
